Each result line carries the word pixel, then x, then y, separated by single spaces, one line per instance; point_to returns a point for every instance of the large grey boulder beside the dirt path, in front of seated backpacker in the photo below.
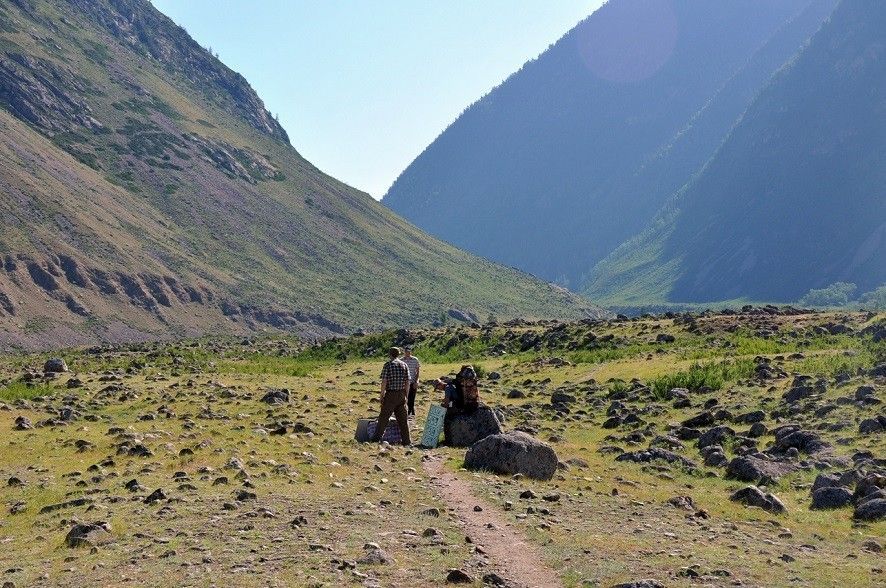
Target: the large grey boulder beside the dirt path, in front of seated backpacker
pixel 514 452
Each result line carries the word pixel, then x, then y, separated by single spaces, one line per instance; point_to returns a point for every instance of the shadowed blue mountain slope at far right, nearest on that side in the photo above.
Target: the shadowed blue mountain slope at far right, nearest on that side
pixel 795 199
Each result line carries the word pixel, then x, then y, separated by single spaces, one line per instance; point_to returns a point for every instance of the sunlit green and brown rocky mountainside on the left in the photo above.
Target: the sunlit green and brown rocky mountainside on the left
pixel 146 192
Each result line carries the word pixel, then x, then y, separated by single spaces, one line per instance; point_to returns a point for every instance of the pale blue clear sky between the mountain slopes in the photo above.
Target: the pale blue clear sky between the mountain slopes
pixel 362 87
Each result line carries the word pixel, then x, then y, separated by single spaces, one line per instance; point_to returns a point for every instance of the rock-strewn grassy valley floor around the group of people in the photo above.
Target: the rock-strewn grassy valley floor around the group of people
pixel 202 482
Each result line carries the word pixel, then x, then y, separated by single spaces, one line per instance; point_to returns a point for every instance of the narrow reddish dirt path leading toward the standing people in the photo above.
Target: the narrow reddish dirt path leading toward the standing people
pixel 511 556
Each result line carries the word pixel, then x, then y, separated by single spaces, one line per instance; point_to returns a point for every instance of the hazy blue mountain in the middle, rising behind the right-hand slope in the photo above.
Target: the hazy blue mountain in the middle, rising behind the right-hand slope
pixel 577 151
